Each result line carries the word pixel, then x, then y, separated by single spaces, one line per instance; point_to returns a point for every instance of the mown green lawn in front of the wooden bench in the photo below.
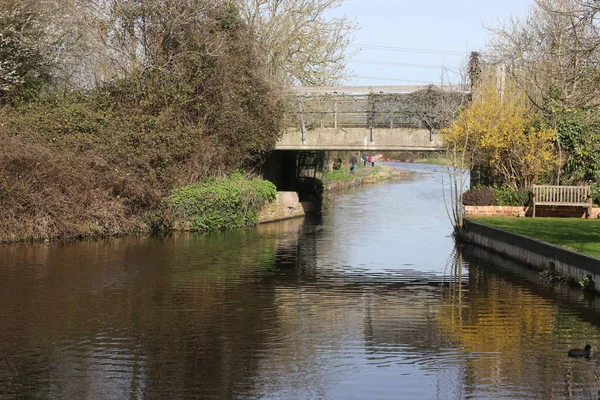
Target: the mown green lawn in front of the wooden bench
pixel 582 235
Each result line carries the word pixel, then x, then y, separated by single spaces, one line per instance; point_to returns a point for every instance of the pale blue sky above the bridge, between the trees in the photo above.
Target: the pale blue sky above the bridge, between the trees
pixel 441 33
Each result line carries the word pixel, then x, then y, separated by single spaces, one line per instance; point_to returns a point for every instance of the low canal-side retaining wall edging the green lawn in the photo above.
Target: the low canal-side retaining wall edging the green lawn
pixel 575 267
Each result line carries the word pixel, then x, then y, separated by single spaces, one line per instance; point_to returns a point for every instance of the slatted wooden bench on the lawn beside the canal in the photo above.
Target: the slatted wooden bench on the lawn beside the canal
pixel 571 196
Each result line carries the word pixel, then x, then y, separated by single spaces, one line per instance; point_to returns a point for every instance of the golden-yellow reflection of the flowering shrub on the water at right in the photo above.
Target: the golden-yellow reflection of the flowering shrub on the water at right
pixel 508 335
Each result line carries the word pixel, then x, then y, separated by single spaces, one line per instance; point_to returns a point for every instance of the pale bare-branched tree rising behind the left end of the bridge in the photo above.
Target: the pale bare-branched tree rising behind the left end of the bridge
pixel 302 44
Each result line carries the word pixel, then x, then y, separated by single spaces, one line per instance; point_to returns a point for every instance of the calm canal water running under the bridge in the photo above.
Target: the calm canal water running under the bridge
pixel 369 301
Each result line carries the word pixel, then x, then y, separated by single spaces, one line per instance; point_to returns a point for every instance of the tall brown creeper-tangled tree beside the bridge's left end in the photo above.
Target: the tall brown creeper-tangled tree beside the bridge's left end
pixel 201 69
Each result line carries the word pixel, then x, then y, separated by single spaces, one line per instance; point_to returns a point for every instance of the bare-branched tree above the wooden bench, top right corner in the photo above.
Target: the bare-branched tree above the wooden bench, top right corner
pixel 553 53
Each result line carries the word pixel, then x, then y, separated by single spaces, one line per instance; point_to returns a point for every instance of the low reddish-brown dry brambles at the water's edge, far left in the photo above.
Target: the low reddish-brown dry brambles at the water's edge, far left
pixel 49 194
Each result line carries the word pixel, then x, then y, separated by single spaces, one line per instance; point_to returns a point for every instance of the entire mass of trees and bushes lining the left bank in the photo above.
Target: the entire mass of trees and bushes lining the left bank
pixel 113 118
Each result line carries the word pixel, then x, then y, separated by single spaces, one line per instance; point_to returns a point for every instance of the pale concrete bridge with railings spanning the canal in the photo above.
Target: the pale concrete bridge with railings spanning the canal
pixel 367 118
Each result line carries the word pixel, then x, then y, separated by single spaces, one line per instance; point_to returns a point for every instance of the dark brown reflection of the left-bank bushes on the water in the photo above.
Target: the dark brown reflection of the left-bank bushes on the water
pixel 163 318
